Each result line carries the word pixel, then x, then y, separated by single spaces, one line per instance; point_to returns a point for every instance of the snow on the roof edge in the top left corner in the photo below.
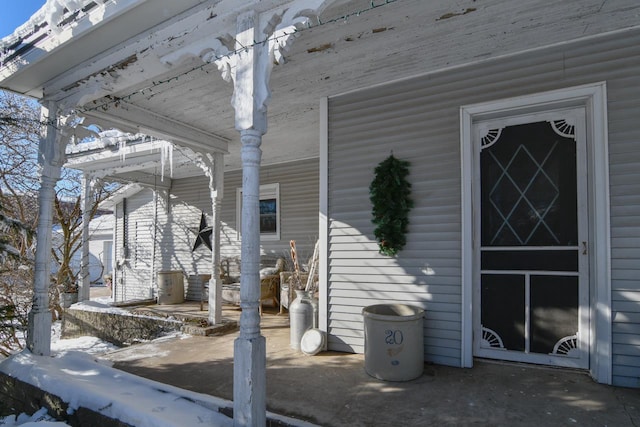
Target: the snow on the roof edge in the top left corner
pixel 51 14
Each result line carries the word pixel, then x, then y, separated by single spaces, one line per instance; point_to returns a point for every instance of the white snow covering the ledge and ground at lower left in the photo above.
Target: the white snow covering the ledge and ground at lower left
pixel 75 374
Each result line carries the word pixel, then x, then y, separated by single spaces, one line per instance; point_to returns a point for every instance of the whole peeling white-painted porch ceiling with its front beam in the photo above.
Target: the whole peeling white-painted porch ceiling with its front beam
pixel 126 80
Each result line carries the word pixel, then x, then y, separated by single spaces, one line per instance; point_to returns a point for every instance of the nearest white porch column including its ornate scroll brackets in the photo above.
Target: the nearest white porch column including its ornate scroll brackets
pixel 260 42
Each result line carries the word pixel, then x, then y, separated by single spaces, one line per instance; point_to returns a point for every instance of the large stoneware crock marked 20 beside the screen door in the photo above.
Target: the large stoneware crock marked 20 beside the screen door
pixel 393 341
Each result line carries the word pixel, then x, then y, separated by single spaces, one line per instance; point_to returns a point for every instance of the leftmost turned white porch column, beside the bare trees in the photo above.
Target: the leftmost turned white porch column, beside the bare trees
pixel 50 159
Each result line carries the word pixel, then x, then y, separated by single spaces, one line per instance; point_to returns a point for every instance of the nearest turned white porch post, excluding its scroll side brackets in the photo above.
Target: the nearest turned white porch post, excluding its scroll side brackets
pixel 252 70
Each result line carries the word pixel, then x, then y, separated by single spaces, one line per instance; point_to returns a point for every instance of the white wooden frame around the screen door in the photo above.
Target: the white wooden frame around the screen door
pixel 593 98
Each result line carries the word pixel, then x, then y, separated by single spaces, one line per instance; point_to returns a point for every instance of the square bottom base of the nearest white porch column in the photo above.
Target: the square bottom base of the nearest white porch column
pixel 249 383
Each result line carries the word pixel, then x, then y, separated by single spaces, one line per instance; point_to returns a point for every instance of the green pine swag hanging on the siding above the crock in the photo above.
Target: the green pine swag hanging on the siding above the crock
pixel 389 193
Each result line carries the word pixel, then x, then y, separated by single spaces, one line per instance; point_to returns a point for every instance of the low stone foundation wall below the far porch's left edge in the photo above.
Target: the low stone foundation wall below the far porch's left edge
pixel 118 329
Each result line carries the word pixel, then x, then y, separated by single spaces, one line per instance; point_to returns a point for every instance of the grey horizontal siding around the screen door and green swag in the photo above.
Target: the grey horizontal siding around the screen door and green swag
pixel 418 120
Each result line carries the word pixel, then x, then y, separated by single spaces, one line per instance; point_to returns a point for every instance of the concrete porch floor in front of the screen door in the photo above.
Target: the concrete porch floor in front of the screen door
pixel 332 389
